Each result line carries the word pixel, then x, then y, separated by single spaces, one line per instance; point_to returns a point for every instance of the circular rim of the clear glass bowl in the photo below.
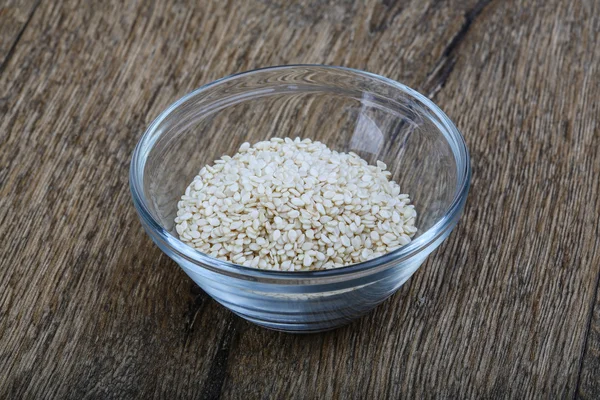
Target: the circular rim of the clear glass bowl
pixel 203 260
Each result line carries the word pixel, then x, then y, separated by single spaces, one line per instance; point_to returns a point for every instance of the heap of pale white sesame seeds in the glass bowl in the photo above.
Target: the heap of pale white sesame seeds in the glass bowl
pixel 294 205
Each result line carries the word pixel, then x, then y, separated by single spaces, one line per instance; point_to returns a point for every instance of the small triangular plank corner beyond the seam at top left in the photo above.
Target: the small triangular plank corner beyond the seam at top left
pixel 14 17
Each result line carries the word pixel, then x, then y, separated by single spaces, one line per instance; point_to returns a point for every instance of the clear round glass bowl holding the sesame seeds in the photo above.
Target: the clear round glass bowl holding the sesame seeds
pixel 348 110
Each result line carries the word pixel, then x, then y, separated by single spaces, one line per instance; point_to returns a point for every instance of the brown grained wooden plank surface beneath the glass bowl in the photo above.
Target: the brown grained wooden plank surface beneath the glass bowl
pixel 508 306
